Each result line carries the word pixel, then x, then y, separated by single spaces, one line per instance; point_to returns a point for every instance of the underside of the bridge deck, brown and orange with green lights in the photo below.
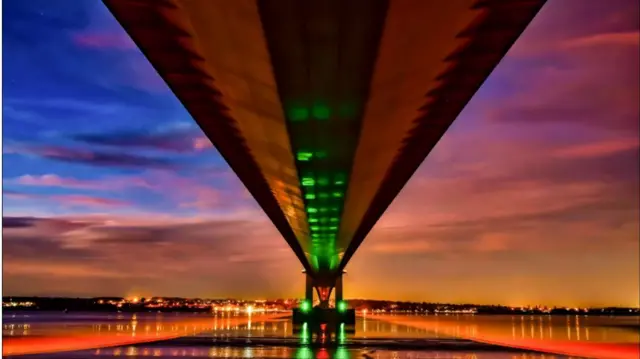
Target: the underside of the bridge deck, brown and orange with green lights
pixel 324 108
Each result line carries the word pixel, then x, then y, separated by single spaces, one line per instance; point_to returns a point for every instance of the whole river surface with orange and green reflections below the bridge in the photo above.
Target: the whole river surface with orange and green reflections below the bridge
pixel 233 335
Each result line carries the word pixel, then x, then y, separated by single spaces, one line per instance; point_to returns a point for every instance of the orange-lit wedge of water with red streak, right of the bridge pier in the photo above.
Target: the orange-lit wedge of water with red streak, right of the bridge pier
pixel 615 337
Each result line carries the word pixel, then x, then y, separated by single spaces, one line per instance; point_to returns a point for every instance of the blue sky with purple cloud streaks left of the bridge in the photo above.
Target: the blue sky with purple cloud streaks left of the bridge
pixel 81 102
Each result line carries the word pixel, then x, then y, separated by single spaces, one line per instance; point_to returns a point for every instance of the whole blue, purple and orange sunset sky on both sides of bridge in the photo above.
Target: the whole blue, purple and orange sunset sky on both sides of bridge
pixel 110 188
